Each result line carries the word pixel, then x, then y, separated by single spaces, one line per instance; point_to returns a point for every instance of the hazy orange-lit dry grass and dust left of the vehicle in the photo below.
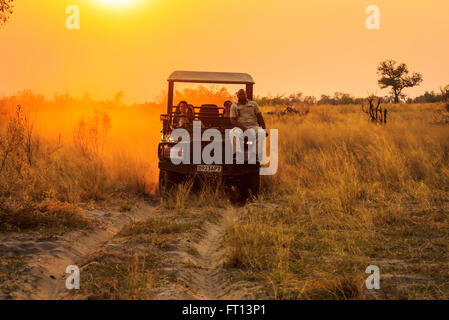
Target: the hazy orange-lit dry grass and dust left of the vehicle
pixel 62 153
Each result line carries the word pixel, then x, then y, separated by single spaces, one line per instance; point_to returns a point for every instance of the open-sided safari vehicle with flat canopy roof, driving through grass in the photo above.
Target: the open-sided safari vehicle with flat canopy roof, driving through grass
pixel 245 178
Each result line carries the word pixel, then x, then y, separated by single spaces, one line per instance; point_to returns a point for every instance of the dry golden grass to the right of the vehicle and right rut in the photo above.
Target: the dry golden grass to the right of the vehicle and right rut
pixel 349 194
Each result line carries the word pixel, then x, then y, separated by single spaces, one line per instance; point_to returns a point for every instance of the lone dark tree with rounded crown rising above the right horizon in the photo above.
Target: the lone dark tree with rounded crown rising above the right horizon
pixel 397 77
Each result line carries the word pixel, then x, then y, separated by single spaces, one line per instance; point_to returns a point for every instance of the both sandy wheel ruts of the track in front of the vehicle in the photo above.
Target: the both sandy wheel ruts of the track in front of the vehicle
pixel 196 264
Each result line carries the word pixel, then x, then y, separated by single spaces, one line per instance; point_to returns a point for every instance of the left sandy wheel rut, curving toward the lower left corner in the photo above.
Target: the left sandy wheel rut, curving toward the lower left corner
pixel 46 260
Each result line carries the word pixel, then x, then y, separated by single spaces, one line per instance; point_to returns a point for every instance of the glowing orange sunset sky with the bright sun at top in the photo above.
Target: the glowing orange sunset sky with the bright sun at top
pixel 319 46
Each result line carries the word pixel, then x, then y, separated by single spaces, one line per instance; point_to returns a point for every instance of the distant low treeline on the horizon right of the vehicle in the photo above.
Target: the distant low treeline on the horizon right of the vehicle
pixel 340 98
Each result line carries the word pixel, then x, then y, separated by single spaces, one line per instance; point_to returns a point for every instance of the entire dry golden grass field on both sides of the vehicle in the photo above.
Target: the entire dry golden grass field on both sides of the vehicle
pixel 348 194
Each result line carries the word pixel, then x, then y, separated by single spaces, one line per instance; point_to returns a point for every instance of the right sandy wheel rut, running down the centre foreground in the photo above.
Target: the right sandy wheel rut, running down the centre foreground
pixel 200 270
